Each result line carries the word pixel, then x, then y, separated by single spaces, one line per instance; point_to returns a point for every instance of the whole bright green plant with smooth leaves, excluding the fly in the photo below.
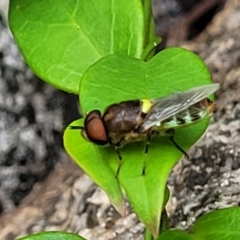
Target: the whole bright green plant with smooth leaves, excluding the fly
pixel 105 53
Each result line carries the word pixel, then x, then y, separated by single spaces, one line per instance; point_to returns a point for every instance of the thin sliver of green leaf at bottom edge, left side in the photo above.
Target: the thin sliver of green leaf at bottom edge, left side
pixel 53 236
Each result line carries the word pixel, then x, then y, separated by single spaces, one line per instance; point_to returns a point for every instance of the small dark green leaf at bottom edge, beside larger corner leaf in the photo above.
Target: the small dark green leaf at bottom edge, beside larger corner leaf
pixel 177 235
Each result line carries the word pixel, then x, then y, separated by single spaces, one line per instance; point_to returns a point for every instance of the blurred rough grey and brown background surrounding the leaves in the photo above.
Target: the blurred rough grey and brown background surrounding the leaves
pixel 36 172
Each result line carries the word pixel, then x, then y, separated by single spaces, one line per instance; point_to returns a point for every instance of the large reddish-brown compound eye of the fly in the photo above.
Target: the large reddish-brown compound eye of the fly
pixel 94 128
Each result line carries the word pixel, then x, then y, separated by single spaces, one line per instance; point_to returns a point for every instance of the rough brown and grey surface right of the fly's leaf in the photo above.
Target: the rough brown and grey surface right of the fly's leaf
pixel 210 180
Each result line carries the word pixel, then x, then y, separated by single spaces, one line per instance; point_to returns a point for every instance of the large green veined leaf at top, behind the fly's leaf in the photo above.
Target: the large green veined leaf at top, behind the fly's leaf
pixel 61 39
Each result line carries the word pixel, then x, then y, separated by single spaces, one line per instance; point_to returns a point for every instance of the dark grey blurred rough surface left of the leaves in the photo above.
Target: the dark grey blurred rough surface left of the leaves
pixel 33 116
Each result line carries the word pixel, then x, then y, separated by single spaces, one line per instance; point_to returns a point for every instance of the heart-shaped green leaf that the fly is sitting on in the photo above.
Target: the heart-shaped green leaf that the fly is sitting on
pixel 116 78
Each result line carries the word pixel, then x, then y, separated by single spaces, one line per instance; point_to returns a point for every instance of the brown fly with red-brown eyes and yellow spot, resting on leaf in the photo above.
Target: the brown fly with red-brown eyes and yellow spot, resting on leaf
pixel 135 120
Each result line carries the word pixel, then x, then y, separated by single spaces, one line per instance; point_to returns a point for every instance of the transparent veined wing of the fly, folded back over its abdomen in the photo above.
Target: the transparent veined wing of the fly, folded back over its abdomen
pixel 165 107
